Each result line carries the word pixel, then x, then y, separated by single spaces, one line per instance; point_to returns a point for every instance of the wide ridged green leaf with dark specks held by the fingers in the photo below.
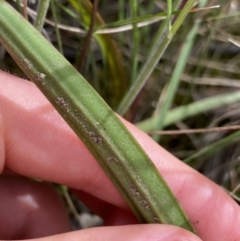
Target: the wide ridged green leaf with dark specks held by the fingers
pixel 108 140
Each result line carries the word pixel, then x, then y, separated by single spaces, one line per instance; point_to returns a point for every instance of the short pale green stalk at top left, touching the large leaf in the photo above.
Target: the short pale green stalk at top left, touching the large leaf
pixel 41 14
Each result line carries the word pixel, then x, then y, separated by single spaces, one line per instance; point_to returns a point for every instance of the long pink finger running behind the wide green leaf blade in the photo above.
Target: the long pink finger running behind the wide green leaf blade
pixel 37 138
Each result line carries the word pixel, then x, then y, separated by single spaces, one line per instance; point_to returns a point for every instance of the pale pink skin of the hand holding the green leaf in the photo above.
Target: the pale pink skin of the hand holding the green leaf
pixel 35 142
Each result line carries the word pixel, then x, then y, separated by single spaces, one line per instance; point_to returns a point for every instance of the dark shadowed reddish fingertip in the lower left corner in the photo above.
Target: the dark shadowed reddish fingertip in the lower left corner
pixel 29 210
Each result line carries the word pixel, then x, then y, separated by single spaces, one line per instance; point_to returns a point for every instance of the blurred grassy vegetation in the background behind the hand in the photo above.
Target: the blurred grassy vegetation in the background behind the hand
pixel 189 100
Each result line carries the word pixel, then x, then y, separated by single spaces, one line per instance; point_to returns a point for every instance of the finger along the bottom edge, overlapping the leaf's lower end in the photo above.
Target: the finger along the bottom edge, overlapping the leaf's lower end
pixel 150 232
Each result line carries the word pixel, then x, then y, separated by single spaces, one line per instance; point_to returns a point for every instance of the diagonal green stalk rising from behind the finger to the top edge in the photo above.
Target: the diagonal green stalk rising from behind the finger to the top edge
pixel 154 56
